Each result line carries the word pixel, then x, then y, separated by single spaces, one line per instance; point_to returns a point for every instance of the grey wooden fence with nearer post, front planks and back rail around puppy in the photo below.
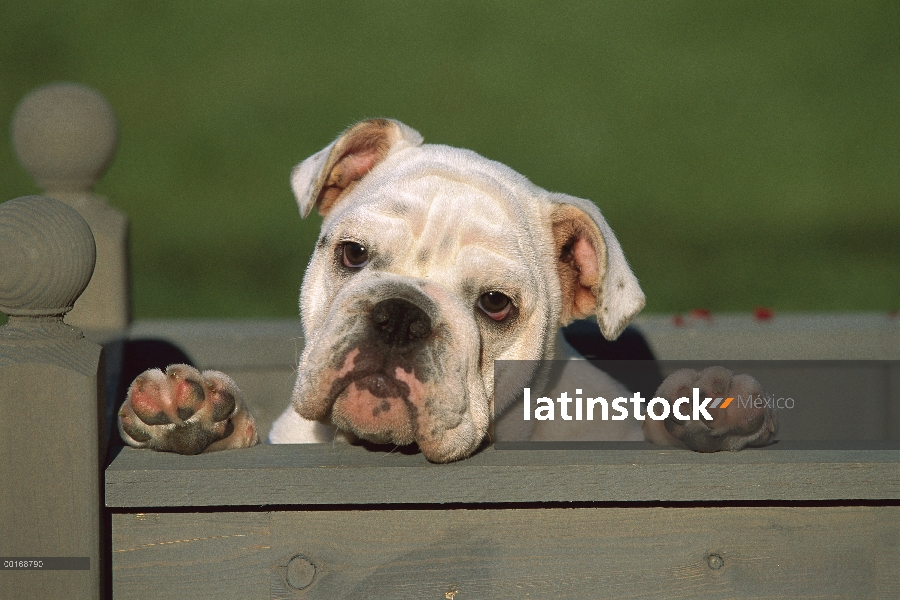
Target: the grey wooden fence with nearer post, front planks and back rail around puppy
pixel 794 520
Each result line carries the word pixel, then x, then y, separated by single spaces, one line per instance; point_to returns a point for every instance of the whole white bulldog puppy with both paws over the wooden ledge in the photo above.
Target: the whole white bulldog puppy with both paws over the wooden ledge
pixel 432 263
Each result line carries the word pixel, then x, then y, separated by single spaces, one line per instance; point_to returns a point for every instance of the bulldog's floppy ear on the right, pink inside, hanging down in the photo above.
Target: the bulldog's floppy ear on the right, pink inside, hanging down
pixel 593 273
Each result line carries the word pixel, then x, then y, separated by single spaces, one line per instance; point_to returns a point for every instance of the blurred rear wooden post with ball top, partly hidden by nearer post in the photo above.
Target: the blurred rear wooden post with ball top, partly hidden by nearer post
pixel 65 136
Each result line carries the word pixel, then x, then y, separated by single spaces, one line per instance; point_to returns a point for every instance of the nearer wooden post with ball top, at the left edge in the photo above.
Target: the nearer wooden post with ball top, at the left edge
pixel 51 395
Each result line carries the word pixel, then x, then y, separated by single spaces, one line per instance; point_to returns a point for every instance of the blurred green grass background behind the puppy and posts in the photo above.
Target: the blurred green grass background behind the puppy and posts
pixel 746 153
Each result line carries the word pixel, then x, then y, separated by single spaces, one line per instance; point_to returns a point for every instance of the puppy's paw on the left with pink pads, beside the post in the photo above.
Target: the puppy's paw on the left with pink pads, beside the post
pixel 185 411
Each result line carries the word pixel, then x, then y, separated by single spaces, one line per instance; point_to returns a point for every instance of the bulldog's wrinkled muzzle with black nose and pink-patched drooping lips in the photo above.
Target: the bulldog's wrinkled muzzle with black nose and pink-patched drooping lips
pixel 394 372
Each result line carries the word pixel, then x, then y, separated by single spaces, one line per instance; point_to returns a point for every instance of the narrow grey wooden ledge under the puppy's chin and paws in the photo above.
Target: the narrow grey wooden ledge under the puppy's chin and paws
pixel 313 474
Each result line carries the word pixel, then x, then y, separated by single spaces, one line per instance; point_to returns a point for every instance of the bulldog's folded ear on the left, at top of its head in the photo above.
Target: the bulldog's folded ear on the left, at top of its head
pixel 326 176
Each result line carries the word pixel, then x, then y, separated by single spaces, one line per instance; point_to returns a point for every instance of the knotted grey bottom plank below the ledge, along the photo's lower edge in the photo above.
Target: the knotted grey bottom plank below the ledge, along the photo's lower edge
pixel 636 553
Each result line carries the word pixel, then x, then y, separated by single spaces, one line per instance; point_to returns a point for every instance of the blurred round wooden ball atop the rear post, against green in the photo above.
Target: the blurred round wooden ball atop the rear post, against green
pixel 65 136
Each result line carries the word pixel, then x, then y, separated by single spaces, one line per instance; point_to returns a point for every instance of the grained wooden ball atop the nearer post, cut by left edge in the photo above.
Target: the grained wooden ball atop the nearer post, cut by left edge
pixel 47 257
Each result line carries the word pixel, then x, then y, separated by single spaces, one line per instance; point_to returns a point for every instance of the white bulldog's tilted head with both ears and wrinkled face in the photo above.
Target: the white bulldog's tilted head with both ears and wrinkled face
pixel 432 263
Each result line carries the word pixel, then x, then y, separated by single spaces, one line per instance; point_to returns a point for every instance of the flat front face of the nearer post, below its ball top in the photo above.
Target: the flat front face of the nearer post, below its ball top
pixel 50 478
